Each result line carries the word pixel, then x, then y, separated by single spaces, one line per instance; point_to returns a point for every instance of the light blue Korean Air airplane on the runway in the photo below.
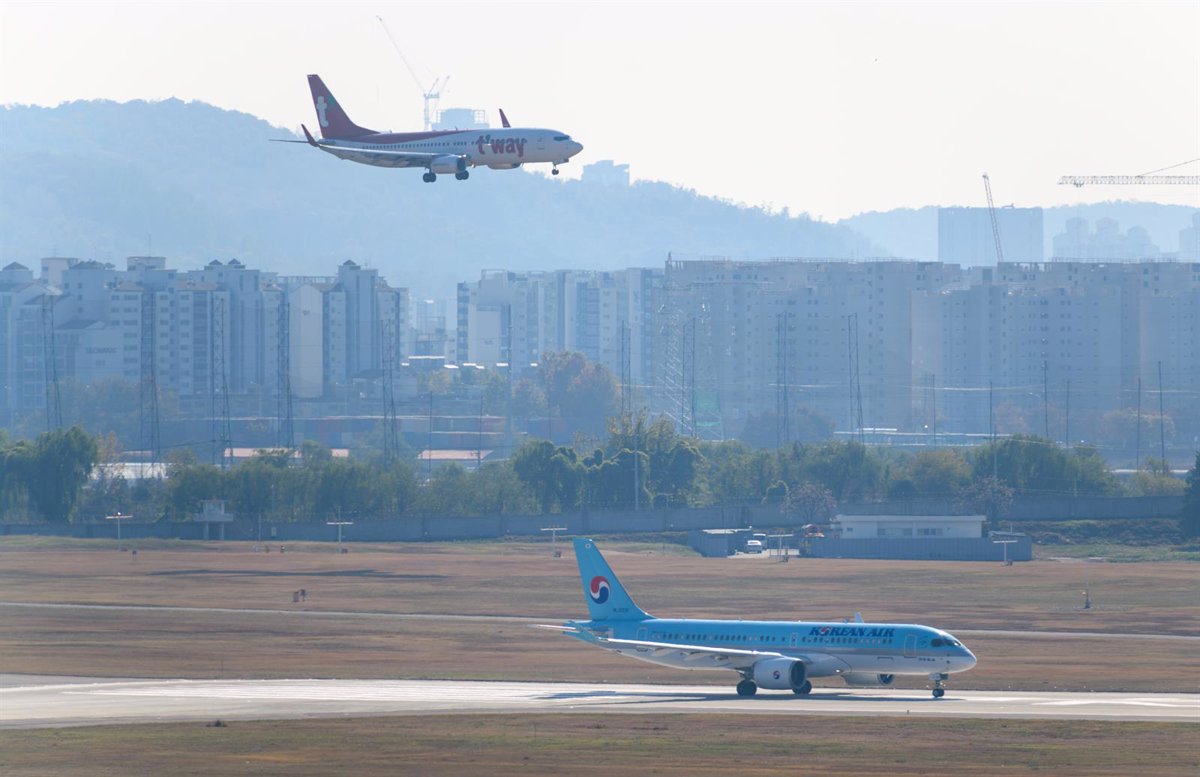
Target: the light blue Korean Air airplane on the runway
pixel 776 655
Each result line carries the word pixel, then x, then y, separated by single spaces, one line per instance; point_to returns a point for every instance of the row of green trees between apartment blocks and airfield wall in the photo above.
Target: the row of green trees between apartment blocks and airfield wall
pixel 640 463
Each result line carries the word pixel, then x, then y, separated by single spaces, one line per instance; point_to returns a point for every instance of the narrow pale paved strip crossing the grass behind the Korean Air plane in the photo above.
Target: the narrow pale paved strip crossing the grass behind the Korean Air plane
pixel 526 619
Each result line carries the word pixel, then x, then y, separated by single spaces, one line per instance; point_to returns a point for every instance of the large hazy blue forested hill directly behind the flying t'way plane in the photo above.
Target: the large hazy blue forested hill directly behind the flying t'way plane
pixel 104 180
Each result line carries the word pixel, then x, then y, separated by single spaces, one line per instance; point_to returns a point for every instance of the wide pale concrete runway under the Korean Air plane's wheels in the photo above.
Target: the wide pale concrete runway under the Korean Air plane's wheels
pixel 58 702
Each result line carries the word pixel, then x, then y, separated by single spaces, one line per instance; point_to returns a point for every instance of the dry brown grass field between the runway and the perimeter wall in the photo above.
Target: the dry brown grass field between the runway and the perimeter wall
pixel 524 581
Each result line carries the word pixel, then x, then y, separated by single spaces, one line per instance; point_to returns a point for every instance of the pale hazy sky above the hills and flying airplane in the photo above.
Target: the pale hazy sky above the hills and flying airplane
pixel 819 107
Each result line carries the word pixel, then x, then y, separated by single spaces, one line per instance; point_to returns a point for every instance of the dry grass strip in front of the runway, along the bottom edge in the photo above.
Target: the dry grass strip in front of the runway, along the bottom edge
pixel 695 746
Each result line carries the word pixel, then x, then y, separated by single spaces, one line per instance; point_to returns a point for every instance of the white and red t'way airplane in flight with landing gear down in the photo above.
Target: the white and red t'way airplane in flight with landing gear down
pixel 440 153
